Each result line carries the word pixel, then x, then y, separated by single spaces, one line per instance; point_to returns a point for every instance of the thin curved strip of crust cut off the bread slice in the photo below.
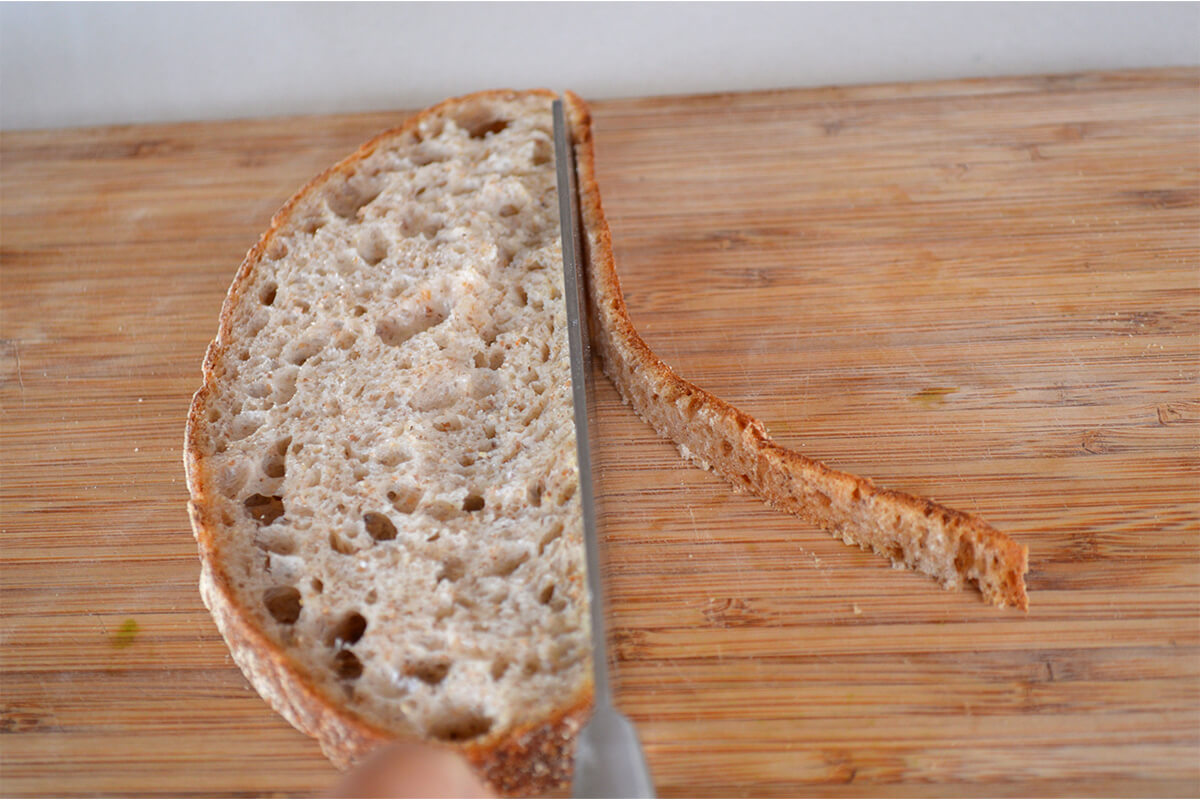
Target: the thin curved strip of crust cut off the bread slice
pixel 949 545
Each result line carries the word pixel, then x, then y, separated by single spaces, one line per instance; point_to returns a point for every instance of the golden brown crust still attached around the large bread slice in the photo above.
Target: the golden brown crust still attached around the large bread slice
pixel 531 761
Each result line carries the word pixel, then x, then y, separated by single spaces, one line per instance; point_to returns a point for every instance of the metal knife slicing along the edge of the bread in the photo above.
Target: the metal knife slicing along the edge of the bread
pixel 609 761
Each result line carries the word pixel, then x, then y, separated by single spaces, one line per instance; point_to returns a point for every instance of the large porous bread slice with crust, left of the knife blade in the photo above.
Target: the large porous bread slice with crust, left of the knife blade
pixel 382 458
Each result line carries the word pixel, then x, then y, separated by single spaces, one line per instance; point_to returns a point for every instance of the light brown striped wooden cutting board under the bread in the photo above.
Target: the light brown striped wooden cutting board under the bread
pixel 982 291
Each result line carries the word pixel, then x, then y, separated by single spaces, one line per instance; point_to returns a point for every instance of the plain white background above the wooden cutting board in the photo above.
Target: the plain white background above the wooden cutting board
pixel 69 65
